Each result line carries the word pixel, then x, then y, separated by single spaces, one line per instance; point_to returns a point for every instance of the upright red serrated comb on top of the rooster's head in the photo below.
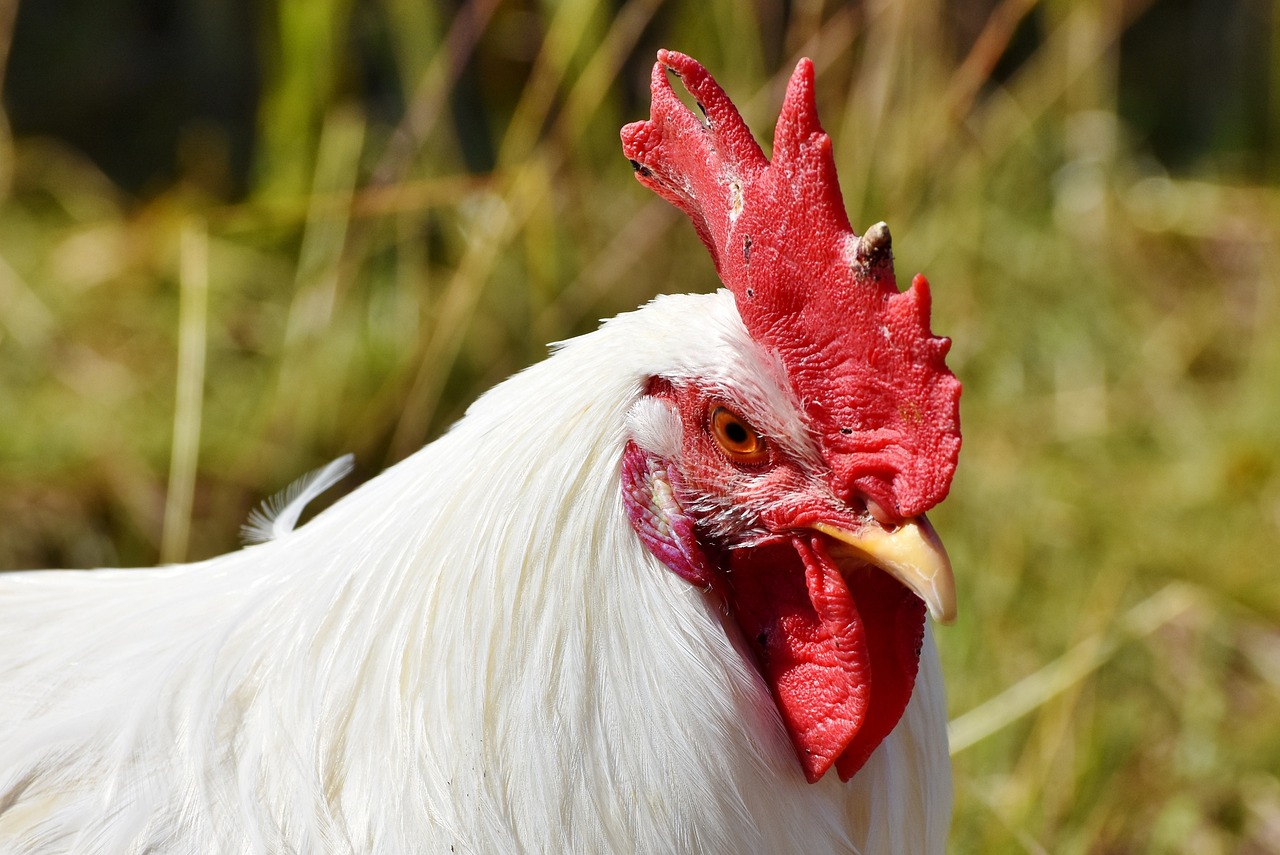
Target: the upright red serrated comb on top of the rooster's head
pixel 858 353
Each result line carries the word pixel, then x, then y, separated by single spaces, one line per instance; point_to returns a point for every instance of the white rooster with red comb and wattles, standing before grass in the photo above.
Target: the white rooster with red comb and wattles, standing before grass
pixel 662 592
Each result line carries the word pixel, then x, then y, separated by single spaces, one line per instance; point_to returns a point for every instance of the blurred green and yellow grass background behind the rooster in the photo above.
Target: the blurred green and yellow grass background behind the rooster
pixel 240 239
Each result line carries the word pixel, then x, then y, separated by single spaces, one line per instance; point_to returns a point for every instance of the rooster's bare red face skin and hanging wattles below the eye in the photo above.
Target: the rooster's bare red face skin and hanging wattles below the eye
pixel 838 643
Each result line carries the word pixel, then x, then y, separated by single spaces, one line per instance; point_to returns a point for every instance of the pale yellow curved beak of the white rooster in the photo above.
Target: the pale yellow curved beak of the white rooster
pixel 911 554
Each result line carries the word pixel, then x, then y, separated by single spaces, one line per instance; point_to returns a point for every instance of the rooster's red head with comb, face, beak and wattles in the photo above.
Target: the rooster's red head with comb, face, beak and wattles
pixel 794 484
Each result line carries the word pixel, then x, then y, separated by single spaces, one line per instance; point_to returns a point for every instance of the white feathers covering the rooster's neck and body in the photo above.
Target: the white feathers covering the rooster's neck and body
pixel 470 653
